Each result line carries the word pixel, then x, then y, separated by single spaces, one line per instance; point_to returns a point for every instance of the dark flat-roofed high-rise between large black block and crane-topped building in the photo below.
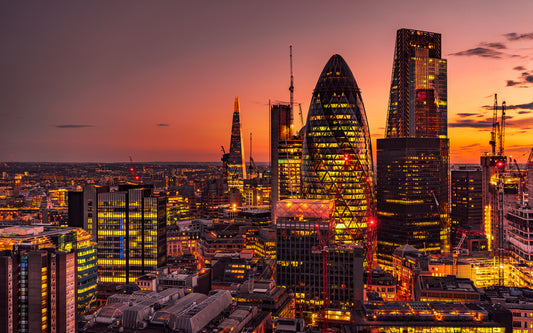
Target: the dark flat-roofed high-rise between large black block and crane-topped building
pixel 466 199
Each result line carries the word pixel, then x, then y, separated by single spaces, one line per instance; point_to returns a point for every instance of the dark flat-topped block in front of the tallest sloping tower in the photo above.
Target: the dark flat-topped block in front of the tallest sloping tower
pixel 412 179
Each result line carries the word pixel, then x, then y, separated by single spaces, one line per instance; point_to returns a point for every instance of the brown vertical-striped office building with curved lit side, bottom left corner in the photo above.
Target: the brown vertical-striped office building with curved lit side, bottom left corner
pixel 47 276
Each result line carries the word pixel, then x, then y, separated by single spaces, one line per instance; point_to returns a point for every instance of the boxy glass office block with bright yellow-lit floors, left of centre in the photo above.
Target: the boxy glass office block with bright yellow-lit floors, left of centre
pixel 131 233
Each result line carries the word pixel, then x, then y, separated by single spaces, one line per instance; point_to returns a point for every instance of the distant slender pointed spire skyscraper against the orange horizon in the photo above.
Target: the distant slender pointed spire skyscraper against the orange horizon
pixel 236 167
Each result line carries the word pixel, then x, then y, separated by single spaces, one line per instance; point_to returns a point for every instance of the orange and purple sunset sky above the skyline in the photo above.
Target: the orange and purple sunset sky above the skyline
pixel 97 81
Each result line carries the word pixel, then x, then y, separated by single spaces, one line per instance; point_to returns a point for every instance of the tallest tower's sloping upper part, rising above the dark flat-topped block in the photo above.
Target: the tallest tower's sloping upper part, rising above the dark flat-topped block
pixel 418 101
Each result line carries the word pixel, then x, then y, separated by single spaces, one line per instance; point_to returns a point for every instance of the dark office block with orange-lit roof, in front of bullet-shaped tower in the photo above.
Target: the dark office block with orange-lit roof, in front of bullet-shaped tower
pixel 321 275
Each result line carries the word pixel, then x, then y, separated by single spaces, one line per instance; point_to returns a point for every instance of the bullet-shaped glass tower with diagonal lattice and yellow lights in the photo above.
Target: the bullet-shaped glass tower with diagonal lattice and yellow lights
pixel 337 153
